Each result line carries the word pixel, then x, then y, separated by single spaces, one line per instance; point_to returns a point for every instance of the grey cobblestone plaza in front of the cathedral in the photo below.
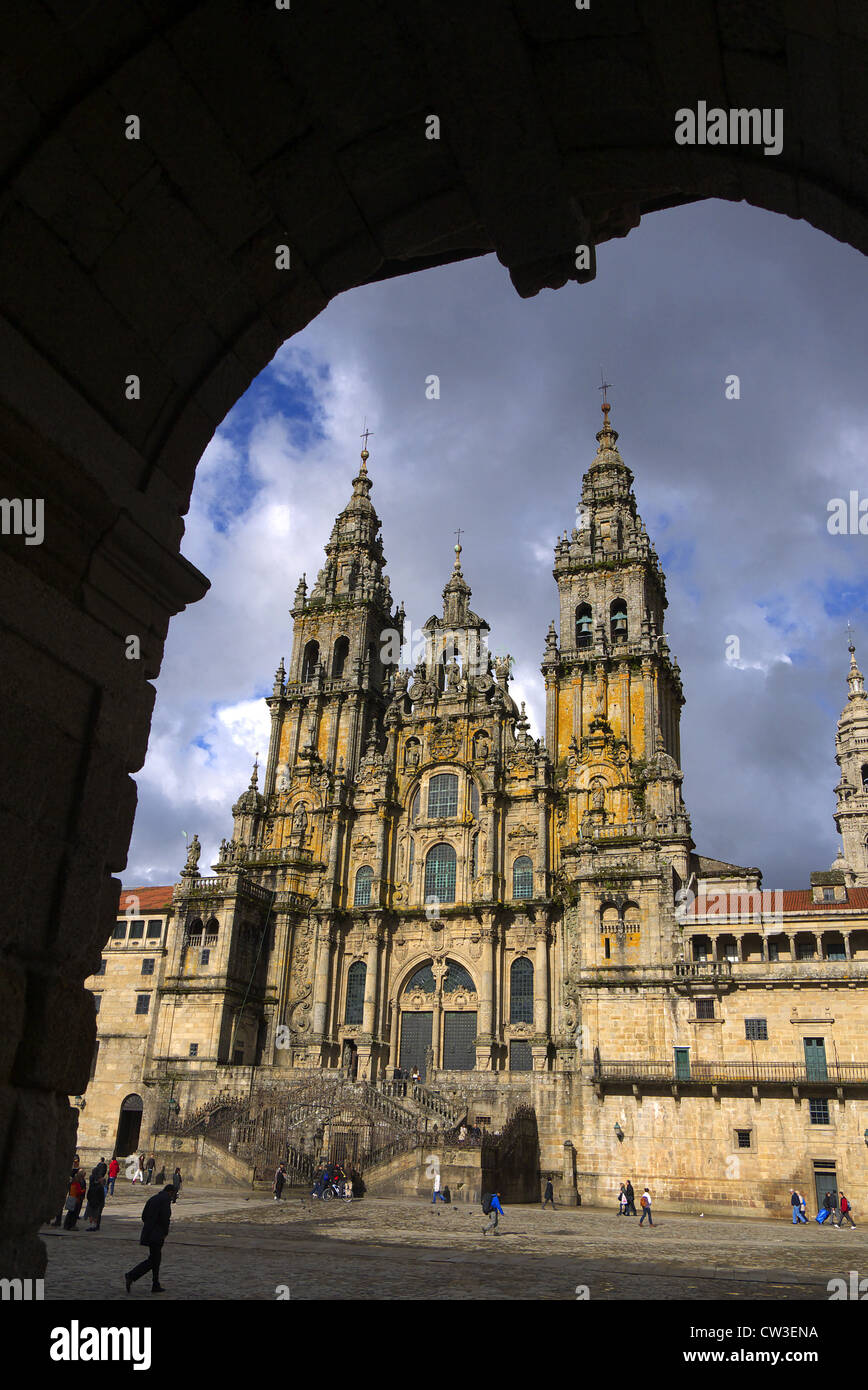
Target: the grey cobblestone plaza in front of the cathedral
pixel 226 1246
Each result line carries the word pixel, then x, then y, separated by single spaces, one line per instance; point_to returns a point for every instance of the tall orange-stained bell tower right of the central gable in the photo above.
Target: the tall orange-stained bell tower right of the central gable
pixel 613 689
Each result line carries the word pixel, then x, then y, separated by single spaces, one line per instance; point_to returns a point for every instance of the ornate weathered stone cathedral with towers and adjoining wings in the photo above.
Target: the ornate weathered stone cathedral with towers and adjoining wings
pixel 421 888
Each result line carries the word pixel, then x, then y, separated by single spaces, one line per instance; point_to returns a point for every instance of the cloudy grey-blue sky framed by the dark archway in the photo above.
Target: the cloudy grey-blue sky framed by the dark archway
pixel 735 496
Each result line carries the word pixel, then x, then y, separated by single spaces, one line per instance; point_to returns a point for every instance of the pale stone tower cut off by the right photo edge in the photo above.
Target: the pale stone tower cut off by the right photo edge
pixel 852 757
